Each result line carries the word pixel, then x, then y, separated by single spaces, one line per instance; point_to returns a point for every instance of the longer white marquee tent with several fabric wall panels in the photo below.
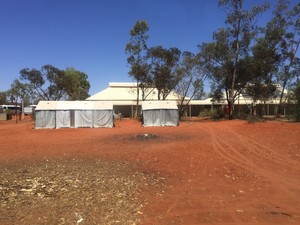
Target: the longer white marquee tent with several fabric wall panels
pixel 63 114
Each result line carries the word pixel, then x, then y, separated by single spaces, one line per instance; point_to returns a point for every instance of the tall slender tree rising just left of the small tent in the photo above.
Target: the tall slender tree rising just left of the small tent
pixel 136 50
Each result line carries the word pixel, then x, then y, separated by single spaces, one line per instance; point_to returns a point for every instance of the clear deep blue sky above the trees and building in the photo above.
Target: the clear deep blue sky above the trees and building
pixel 91 35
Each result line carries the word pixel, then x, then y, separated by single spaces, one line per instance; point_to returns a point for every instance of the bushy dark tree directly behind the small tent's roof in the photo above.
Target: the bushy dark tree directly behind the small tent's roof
pixel 164 69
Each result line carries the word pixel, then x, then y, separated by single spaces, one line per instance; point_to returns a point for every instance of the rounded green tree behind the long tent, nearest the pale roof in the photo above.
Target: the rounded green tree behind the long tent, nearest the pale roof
pixel 76 84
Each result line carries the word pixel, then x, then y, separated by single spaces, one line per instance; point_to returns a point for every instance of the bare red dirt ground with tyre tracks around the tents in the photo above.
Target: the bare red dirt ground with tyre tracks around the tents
pixel 225 172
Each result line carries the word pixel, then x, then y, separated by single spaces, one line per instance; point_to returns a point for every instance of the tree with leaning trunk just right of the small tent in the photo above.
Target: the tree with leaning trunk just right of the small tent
pixel 190 81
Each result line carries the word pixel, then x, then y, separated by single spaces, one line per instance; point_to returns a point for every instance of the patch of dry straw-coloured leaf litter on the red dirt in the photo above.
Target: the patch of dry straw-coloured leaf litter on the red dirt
pixel 74 191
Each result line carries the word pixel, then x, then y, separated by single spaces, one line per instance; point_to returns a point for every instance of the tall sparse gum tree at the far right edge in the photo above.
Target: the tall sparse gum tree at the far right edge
pixel 282 37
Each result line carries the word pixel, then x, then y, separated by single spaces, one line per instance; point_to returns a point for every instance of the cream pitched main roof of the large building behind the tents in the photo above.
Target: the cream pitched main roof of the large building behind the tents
pixel 127 92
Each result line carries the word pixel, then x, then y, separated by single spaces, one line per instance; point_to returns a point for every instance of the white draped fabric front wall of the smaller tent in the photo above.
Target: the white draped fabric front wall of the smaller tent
pixel 160 117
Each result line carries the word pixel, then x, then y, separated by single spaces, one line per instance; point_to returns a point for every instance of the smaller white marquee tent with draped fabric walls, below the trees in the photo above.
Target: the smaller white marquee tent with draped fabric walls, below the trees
pixel 160 113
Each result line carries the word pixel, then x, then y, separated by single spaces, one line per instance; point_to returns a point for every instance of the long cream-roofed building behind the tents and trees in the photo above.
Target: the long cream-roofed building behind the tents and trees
pixel 123 96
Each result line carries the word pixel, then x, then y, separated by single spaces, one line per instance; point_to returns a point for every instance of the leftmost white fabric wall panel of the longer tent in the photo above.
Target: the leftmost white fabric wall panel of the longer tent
pixel 45 119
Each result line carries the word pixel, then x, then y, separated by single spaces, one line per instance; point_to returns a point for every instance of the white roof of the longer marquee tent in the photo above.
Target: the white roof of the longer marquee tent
pixel 66 105
